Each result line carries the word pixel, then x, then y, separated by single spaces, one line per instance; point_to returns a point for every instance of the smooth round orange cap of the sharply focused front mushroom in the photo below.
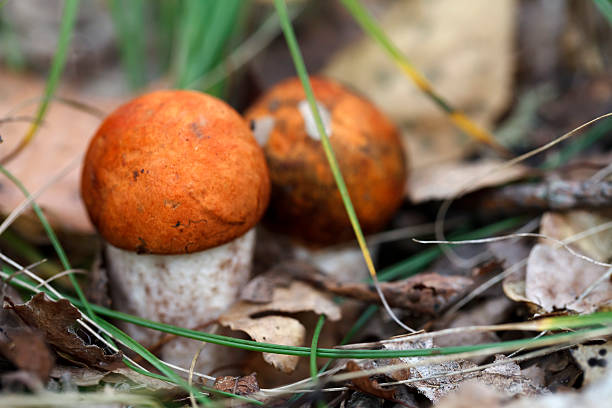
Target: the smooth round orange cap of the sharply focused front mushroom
pixel 174 172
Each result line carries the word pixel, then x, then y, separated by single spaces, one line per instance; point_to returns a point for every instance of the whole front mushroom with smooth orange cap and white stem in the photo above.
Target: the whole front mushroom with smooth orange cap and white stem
pixel 174 181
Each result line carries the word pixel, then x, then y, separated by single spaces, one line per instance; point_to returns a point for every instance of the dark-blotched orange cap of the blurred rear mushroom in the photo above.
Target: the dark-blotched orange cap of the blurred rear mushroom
pixel 305 201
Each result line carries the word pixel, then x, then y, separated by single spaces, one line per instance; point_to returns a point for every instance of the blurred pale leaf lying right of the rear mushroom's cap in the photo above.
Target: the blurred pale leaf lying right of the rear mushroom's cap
pixel 447 180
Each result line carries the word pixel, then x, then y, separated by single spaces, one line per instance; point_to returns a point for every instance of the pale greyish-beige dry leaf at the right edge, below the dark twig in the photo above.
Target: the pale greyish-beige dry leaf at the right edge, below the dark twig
pixel 555 279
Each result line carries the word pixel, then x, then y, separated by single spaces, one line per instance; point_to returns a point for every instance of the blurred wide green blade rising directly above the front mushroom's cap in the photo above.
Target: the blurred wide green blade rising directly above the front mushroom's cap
pixel 129 20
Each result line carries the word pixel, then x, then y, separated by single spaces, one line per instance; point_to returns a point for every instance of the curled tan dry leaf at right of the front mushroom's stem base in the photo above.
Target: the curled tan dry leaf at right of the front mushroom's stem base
pixel 298 297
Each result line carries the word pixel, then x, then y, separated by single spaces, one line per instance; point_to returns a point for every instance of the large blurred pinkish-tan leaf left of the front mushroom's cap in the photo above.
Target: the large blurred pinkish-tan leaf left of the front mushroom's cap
pixel 62 137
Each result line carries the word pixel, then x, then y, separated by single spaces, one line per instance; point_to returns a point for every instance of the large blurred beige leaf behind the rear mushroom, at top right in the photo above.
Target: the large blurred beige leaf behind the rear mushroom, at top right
pixel 433 35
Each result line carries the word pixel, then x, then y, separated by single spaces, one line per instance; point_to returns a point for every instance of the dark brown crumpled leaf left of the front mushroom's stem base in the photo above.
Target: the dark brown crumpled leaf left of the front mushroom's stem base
pixel 56 320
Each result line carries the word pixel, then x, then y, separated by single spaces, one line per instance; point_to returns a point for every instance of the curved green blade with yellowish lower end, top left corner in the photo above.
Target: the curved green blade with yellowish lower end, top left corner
pixel 71 8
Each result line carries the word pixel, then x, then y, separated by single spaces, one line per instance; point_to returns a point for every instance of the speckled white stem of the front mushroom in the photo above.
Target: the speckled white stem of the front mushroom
pixel 187 290
